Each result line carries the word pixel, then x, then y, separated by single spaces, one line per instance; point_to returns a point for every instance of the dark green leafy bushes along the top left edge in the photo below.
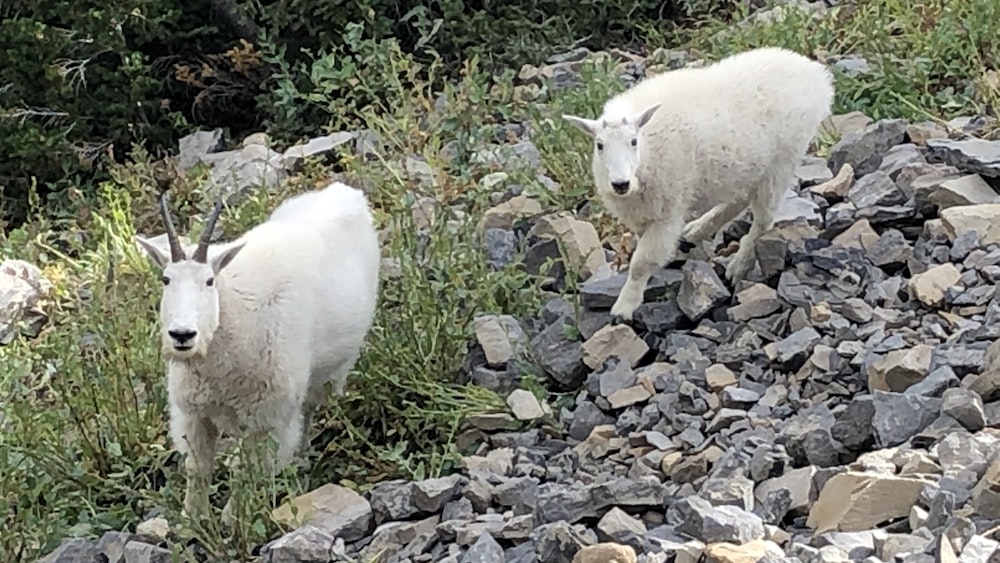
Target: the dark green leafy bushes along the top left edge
pixel 81 81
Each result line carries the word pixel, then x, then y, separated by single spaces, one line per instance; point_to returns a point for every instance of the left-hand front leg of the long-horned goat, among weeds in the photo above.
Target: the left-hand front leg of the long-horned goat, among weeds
pixel 199 436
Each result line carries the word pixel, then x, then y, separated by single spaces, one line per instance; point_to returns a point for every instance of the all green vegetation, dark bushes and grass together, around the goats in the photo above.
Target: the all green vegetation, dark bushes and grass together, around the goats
pixel 91 95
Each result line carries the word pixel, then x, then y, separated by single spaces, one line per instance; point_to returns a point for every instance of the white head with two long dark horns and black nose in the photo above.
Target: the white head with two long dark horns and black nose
pixel 189 306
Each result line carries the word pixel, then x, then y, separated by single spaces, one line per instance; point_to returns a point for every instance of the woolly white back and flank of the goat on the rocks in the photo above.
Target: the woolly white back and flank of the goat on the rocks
pixel 733 125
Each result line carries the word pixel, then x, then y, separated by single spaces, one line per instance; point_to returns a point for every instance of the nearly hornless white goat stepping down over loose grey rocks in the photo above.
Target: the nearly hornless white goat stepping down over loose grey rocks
pixel 704 142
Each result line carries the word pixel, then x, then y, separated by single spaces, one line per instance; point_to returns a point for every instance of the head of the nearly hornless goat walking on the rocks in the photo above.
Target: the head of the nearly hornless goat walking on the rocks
pixel 616 148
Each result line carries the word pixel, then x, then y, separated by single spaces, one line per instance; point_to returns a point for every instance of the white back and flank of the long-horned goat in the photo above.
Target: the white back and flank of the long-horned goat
pixel 314 265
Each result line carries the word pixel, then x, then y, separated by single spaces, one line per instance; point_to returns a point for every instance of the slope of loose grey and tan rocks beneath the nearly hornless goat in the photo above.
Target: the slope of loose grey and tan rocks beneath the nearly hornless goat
pixel 840 405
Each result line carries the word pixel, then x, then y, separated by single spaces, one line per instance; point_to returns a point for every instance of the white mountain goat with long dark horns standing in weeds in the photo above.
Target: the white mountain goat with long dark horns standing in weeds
pixel 252 329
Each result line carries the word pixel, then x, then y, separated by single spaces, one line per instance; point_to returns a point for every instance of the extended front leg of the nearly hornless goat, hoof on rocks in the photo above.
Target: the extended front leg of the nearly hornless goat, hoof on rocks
pixel 657 246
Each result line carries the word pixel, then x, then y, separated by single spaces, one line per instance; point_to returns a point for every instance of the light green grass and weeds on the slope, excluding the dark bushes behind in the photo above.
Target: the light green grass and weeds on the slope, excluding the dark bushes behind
pixel 83 447
